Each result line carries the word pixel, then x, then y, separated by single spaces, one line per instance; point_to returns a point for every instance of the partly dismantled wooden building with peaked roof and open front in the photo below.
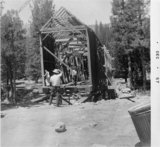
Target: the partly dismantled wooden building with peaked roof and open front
pixel 65 42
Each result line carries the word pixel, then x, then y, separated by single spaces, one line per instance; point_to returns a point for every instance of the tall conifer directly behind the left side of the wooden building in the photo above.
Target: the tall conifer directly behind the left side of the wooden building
pixel 41 12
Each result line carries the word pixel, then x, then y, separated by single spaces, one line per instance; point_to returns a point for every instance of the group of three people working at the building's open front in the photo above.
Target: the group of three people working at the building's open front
pixel 55 81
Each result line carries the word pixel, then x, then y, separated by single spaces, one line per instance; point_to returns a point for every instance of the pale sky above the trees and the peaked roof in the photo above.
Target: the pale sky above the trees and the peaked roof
pixel 88 11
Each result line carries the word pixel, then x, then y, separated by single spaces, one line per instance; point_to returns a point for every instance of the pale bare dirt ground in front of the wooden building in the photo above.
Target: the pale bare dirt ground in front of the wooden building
pixel 105 123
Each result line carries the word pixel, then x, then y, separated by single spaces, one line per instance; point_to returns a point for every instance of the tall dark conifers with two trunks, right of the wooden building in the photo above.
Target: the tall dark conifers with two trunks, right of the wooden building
pixel 128 24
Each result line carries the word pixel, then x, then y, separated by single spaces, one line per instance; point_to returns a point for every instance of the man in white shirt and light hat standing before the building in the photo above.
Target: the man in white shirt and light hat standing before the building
pixel 55 81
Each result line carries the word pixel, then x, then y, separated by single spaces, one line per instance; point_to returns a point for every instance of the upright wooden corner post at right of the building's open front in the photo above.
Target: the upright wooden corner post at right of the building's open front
pixel 89 58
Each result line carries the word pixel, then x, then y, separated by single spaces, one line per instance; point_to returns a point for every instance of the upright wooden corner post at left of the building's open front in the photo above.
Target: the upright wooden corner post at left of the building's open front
pixel 42 63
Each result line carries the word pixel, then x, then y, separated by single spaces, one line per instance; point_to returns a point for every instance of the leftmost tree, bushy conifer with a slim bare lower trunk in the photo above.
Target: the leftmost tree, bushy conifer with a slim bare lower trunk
pixel 13 50
